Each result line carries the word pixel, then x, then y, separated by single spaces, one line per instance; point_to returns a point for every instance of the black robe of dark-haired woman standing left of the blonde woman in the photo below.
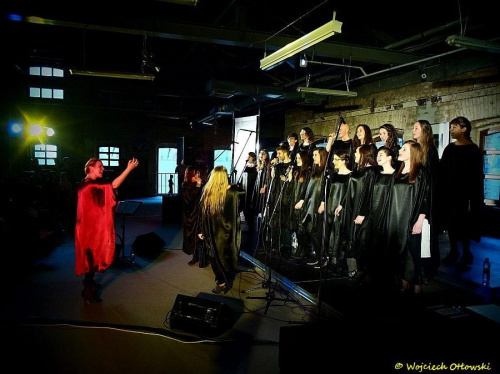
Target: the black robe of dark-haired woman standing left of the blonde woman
pixel 190 210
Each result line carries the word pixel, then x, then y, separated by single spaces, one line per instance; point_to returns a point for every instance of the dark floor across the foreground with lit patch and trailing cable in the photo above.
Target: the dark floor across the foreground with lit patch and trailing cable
pixel 264 327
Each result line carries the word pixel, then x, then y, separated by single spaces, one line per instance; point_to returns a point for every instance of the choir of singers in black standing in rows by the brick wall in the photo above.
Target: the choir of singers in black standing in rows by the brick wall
pixel 364 212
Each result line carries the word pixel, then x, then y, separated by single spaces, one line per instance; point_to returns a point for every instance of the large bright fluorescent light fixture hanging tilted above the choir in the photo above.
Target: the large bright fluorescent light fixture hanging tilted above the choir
pixel 302 43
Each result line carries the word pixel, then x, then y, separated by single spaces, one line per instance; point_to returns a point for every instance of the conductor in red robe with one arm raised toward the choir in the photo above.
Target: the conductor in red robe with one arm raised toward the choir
pixel 95 236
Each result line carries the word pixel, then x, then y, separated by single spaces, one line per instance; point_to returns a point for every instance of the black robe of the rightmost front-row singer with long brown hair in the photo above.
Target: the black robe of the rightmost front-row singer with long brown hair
pixel 408 201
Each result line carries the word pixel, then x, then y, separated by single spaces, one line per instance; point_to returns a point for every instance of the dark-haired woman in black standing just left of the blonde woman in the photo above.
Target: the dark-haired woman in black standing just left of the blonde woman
pixel 191 192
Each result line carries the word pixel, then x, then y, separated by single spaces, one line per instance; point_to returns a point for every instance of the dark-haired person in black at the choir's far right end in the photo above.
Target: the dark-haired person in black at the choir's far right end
pixel 461 192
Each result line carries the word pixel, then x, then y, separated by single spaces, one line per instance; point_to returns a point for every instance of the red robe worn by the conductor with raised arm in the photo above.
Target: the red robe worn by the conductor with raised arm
pixel 95 236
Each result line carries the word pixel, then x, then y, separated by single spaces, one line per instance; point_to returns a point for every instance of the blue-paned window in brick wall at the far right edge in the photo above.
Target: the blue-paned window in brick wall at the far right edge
pixel 490 141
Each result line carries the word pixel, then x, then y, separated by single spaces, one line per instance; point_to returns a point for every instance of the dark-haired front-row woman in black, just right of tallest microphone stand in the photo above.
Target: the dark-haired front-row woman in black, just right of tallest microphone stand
pixel 337 181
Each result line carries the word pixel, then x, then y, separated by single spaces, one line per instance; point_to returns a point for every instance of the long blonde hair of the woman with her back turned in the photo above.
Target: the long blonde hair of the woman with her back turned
pixel 214 193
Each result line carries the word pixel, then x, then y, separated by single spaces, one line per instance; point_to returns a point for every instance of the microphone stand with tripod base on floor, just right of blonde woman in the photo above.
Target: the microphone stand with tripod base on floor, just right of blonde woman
pixel 266 224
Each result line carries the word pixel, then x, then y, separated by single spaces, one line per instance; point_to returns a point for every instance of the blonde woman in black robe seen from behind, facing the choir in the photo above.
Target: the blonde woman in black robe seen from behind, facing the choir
pixel 220 207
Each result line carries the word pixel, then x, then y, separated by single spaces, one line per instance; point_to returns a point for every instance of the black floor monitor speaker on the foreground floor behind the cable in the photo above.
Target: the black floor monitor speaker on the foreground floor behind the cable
pixel 201 316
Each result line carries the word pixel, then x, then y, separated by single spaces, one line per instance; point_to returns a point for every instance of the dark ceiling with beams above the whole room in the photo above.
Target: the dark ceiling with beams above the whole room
pixel 208 52
